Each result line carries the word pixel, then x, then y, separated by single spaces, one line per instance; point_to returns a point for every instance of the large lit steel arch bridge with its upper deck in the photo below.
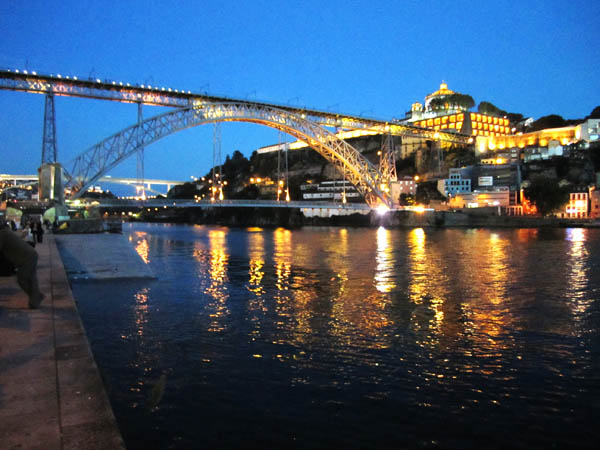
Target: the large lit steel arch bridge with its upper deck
pixel 307 125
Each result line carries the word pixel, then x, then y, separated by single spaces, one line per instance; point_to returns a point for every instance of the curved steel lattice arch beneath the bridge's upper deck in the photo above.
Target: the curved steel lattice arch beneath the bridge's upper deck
pixel 90 165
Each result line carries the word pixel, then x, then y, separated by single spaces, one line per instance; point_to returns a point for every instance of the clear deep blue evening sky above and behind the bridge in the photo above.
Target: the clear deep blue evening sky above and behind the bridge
pixel 372 58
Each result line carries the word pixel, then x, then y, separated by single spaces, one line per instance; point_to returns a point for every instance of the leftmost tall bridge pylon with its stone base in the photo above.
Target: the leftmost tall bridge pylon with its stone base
pixel 50 173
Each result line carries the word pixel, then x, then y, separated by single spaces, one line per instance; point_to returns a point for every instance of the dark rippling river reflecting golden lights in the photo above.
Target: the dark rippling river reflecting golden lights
pixel 353 339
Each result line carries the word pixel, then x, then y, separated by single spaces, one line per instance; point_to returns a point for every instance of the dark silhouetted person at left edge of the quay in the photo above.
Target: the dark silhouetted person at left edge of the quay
pixel 24 258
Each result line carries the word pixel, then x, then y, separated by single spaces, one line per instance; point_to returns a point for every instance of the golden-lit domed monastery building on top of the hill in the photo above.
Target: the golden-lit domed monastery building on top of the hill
pixel 454 117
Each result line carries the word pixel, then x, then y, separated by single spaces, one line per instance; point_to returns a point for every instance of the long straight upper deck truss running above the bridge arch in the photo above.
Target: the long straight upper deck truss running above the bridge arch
pixel 160 96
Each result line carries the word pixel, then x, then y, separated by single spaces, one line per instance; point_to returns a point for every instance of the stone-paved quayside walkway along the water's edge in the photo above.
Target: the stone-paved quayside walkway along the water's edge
pixel 51 393
